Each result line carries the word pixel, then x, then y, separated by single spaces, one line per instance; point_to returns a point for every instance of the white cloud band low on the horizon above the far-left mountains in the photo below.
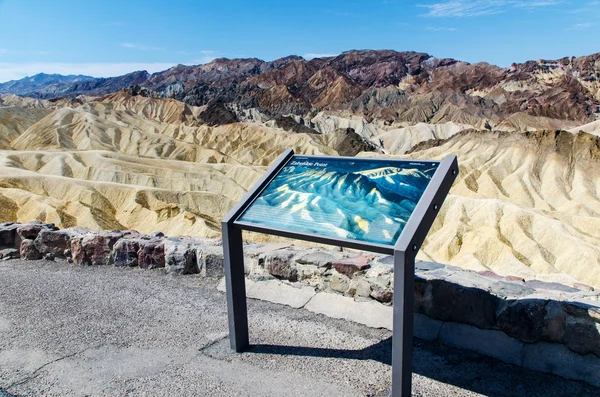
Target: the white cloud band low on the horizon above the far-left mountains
pixel 16 71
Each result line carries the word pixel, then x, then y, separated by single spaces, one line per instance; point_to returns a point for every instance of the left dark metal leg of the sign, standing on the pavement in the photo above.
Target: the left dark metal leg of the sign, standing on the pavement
pixel 235 282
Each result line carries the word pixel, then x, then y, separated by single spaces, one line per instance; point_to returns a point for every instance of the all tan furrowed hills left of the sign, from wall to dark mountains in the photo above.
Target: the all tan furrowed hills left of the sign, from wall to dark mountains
pixel 129 162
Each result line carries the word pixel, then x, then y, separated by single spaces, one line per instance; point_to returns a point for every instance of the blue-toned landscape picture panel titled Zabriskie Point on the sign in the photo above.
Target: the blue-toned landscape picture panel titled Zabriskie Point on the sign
pixel 344 198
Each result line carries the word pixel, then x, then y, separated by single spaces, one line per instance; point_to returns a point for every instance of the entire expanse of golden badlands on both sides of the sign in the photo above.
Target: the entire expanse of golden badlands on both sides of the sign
pixel 526 204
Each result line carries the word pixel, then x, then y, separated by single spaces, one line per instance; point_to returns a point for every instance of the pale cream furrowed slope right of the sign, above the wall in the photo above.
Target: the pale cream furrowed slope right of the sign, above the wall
pixel 523 205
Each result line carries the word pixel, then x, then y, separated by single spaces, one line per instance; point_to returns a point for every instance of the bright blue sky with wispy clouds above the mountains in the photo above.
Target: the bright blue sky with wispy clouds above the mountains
pixel 110 37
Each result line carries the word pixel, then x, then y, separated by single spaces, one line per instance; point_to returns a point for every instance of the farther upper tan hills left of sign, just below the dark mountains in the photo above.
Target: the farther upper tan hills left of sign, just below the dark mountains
pixel 107 126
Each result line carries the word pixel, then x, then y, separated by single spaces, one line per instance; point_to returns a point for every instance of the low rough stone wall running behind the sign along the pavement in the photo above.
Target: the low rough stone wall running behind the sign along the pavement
pixel 546 326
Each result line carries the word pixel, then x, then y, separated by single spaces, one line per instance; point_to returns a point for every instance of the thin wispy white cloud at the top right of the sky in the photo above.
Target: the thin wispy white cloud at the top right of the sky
pixel 474 8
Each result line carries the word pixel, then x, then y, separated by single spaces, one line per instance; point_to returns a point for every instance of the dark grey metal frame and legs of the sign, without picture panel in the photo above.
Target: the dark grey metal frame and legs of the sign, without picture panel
pixel 404 251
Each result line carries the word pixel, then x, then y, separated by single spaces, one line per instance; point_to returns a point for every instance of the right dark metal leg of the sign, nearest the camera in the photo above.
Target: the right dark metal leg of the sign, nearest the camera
pixel 404 280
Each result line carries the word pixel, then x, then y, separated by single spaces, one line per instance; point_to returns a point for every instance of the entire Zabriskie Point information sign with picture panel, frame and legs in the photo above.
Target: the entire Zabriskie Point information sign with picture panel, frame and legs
pixel 379 205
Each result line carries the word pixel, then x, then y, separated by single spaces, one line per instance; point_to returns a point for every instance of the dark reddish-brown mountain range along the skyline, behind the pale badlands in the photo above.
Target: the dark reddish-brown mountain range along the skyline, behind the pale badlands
pixel 392 87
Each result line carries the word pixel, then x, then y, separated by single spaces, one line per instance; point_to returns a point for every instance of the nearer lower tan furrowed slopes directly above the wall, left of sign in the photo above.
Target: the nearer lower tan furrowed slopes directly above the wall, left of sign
pixel 105 190
